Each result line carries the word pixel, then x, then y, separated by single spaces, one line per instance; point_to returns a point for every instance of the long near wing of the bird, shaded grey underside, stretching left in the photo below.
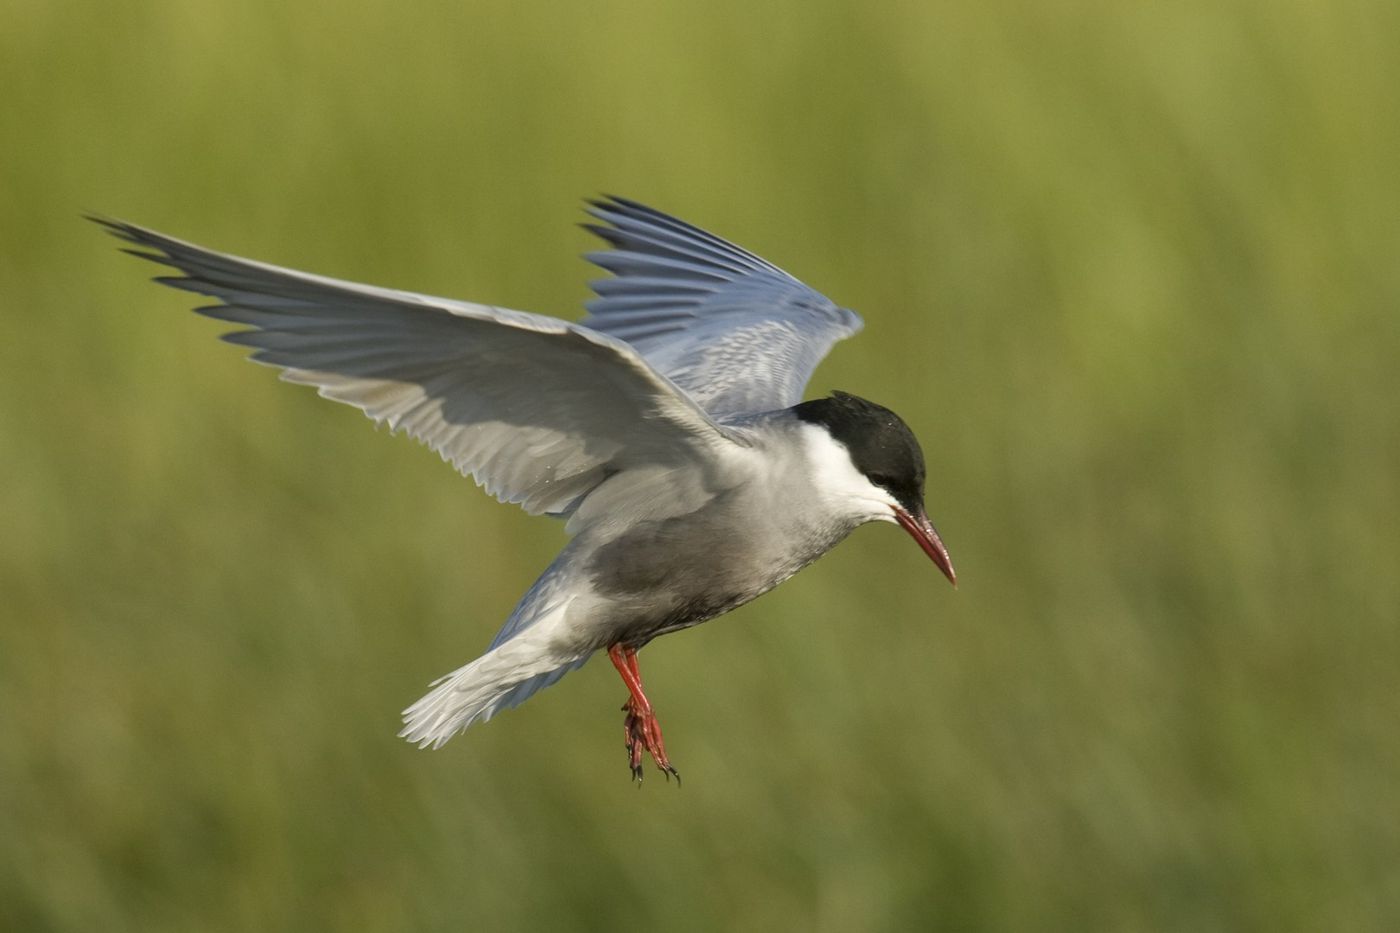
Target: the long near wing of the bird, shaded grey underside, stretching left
pixel 538 411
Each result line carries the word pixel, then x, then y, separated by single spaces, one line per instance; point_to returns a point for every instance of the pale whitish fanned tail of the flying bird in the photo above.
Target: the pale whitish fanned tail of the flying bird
pixel 502 679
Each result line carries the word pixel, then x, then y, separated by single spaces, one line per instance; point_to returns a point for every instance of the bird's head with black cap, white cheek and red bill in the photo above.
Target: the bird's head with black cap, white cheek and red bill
pixel 867 455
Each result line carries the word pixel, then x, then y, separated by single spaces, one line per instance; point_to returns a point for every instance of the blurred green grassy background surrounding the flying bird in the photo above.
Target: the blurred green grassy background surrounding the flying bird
pixel 1129 270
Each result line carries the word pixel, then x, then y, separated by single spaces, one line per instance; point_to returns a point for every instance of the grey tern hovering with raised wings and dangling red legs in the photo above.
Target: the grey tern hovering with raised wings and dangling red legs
pixel 666 429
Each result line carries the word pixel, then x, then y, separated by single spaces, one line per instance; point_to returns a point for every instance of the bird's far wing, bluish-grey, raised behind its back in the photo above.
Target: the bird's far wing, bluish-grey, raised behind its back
pixel 734 331
